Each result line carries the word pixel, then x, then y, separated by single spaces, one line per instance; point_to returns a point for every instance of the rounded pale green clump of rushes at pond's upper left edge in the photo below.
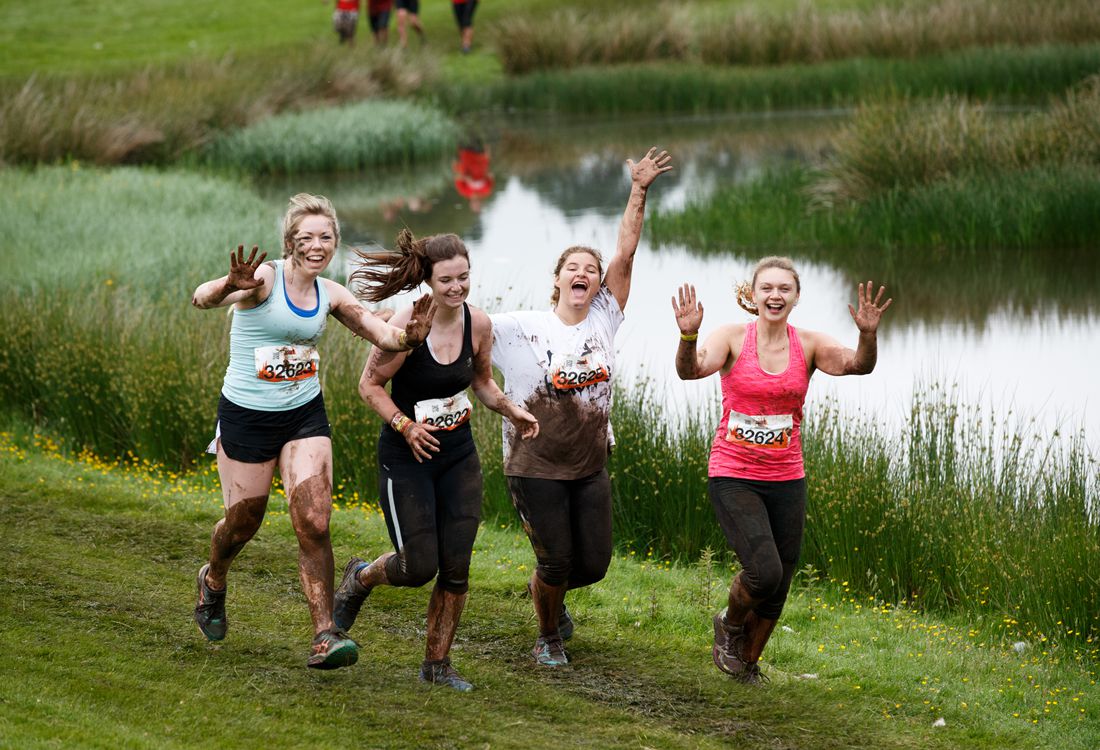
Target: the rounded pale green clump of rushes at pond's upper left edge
pixel 339 139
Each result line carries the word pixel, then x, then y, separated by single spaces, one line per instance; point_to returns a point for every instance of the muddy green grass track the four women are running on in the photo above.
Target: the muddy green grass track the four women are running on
pixel 98 589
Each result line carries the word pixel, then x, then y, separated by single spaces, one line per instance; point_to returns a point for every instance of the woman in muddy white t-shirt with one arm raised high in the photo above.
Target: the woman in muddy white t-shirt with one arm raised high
pixel 558 365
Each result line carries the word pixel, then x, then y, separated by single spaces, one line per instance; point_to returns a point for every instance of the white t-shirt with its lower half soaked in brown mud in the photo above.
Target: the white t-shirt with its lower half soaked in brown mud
pixel 562 374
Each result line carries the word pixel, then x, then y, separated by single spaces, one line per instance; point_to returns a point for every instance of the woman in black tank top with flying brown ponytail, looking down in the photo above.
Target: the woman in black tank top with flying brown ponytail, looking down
pixel 430 476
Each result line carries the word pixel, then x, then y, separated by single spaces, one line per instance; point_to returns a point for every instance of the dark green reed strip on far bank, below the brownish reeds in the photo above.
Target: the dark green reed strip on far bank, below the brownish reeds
pixel 1009 75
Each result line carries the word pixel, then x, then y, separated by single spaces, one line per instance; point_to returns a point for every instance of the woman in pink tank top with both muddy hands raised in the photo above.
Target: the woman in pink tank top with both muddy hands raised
pixel 757 483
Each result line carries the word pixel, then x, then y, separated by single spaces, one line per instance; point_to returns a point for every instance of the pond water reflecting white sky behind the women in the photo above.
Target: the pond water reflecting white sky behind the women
pixel 1028 348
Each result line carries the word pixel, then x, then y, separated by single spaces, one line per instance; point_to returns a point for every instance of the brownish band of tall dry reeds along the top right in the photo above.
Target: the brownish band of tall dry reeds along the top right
pixel 755 35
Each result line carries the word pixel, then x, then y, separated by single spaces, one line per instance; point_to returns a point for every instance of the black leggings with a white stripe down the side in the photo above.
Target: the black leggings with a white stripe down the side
pixel 433 512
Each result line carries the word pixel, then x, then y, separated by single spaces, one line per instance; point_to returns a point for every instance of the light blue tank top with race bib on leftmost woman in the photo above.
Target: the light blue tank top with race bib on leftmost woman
pixel 273 361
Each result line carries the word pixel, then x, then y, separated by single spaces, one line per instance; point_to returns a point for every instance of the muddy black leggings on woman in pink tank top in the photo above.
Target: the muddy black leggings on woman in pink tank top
pixel 764 523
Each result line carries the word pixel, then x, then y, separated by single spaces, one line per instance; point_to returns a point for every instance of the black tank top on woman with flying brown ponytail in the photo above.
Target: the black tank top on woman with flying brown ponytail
pixel 421 378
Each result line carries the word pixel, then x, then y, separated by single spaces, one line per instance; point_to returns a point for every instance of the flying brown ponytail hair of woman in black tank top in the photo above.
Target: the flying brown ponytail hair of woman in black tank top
pixel 382 275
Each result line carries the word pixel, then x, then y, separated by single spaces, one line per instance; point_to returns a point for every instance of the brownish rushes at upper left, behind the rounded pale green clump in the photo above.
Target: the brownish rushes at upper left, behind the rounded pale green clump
pixel 162 113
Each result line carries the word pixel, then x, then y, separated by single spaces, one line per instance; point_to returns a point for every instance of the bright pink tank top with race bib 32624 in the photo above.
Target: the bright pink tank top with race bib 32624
pixel 760 434
